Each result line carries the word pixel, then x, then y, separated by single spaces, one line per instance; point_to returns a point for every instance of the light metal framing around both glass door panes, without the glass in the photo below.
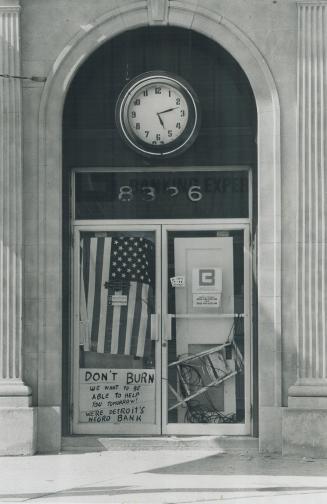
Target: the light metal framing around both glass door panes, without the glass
pixel 161 229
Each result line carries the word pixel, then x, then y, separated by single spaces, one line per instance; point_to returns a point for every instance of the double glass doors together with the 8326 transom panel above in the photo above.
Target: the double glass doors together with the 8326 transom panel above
pixel 161 302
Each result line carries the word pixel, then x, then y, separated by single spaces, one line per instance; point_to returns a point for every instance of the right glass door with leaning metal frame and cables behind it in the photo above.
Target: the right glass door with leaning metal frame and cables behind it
pixel 206 329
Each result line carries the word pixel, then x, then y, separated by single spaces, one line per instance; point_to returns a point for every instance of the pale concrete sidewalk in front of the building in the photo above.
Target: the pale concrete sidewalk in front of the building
pixel 163 476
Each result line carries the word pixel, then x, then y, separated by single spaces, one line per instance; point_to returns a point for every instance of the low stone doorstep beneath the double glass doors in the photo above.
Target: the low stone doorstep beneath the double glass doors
pixel 79 444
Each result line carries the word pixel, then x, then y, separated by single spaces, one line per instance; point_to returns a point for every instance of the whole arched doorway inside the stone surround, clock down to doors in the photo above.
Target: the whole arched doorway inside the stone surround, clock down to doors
pixel 141 342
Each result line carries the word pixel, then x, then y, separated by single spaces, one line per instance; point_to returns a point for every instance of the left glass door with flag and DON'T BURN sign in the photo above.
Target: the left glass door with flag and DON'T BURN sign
pixel 116 373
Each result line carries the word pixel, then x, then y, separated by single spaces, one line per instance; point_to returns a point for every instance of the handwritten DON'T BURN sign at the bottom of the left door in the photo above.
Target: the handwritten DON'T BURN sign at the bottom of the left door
pixel 117 396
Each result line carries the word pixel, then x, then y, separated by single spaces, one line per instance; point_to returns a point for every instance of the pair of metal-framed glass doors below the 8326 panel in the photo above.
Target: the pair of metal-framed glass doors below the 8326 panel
pixel 161 329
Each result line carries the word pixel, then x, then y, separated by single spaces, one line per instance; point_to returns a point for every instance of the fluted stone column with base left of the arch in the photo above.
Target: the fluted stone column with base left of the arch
pixel 16 417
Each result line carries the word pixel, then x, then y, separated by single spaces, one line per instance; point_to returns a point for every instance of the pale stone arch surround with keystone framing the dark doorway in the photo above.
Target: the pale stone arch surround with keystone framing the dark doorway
pixel 216 27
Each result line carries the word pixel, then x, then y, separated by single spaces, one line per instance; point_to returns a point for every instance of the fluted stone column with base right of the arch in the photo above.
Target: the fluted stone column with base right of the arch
pixel 306 420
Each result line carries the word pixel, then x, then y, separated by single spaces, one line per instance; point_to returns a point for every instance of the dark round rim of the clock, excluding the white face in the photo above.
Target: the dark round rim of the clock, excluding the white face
pixel 188 136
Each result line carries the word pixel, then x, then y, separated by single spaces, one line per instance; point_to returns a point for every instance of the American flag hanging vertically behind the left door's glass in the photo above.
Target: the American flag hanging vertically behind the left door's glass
pixel 116 294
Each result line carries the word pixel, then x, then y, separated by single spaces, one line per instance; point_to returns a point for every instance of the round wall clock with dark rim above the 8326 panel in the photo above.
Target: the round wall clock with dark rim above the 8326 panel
pixel 157 114
